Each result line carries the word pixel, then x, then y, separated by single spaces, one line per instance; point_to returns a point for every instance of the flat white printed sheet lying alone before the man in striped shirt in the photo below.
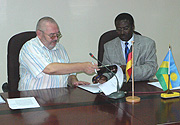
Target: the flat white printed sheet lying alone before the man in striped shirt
pixel 23 103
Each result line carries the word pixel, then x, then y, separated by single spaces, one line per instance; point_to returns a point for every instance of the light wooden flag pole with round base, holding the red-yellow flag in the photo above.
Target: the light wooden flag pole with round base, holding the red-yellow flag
pixel 133 99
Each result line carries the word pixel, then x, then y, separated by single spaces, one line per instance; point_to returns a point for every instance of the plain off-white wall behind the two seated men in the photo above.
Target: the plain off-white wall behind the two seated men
pixel 83 21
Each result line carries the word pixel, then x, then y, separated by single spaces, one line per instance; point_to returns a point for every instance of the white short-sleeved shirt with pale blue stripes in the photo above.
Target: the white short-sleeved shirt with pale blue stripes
pixel 33 58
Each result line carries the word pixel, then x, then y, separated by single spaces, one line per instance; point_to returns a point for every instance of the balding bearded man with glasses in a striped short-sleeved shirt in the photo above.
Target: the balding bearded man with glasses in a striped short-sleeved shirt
pixel 44 62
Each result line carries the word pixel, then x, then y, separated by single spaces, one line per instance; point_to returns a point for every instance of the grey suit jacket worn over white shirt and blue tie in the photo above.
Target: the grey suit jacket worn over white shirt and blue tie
pixel 145 59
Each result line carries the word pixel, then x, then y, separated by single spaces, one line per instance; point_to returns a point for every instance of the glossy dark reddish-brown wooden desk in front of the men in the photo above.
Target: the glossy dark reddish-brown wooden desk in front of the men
pixel 77 106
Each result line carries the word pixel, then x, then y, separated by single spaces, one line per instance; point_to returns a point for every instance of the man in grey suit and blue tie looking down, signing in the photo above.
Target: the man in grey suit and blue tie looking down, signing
pixel 145 59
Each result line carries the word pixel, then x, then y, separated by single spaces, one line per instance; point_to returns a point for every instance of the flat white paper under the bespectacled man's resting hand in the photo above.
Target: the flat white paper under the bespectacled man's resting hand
pixel 91 88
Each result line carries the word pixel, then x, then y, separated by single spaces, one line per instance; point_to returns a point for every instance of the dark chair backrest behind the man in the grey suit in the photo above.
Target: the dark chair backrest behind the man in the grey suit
pixel 106 37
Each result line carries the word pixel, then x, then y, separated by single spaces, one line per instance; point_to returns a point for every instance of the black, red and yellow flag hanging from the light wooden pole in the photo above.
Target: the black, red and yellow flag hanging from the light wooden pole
pixel 129 65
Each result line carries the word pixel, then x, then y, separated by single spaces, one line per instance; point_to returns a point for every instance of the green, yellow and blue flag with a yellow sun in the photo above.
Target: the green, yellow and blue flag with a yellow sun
pixel 166 70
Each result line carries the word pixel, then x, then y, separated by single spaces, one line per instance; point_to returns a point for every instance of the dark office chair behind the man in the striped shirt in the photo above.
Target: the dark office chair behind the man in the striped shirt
pixel 14 46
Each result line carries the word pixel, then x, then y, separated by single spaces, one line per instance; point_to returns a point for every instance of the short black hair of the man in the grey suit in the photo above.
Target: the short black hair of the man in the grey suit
pixel 125 16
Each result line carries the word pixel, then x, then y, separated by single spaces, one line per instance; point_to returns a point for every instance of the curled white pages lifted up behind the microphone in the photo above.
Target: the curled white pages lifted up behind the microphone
pixel 111 85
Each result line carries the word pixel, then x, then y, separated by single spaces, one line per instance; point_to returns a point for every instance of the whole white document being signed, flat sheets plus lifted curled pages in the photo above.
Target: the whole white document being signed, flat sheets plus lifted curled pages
pixel 108 87
